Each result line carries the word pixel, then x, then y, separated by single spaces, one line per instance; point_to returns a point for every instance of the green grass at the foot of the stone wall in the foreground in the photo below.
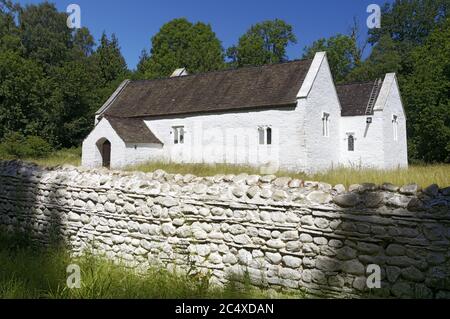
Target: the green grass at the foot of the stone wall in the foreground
pixel 32 272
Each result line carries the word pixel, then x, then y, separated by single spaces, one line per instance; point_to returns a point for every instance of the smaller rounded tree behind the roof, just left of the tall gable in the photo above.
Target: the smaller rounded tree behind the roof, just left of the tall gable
pixel 263 43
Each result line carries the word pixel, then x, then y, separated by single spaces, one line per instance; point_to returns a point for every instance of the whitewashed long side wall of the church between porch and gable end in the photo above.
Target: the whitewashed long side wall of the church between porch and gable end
pixel 232 138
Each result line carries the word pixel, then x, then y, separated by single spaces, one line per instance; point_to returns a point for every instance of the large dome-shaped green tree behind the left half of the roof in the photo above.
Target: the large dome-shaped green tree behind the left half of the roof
pixel 180 43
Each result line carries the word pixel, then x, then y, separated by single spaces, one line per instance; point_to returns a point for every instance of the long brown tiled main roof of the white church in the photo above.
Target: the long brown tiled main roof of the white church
pixel 252 87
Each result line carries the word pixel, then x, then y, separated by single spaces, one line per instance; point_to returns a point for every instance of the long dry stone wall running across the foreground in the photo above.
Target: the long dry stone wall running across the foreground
pixel 280 232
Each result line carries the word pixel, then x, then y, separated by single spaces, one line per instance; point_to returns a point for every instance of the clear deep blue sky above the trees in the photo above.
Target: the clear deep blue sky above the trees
pixel 135 21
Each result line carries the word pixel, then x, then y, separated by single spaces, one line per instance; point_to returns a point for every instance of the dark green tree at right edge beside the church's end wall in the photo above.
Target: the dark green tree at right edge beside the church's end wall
pixel 426 92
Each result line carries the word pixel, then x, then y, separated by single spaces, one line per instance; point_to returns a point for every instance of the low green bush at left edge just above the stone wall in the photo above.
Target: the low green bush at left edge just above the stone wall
pixel 15 145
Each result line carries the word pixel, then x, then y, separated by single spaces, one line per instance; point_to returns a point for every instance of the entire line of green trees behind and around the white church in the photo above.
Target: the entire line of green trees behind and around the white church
pixel 52 79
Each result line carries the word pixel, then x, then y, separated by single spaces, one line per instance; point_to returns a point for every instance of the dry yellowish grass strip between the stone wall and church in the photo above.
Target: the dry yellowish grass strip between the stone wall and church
pixel 424 175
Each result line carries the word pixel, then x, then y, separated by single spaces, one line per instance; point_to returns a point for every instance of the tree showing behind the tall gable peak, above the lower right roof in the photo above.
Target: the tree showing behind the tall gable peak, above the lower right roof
pixel 340 52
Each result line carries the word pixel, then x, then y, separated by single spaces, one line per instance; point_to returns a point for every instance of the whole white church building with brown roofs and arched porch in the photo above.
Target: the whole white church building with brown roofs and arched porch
pixel 288 116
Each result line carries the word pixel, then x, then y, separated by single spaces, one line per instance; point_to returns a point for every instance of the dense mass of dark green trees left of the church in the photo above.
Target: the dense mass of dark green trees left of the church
pixel 52 79
